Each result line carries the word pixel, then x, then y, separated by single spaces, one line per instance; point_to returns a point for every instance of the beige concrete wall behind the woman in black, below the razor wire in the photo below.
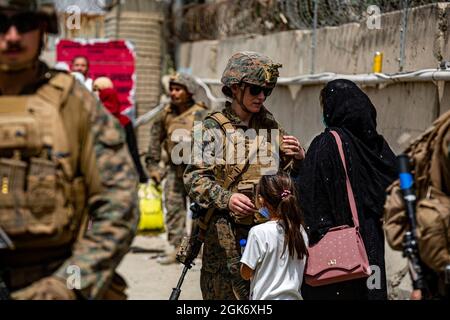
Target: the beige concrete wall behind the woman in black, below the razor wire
pixel 404 109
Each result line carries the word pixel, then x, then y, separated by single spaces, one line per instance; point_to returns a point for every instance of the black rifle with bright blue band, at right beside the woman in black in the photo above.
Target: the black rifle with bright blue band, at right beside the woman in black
pixel 410 246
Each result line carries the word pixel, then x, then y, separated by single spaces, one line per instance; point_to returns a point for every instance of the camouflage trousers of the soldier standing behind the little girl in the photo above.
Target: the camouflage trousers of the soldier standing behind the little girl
pixel 220 277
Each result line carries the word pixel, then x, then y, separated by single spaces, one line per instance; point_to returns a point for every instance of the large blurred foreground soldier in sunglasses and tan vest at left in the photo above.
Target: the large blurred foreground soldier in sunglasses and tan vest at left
pixel 64 162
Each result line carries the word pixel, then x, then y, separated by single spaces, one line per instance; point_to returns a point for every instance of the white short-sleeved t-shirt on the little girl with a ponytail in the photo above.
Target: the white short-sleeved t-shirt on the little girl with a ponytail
pixel 276 276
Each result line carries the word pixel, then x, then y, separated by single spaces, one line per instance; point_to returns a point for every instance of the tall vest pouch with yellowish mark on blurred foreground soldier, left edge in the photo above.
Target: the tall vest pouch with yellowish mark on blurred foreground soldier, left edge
pixel 12 196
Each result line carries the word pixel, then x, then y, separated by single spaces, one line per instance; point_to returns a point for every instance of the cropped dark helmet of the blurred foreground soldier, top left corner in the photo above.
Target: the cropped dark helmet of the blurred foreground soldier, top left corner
pixel 46 11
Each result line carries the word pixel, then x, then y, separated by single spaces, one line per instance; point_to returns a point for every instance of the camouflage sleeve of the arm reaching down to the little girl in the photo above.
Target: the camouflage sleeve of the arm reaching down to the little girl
pixel 200 178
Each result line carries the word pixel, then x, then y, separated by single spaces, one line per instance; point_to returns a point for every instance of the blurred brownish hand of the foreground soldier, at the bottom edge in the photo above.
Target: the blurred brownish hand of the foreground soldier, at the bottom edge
pixel 50 288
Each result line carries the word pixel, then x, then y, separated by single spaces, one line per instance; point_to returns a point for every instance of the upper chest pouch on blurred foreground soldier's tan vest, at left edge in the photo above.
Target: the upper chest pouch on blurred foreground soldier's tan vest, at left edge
pixel 19 133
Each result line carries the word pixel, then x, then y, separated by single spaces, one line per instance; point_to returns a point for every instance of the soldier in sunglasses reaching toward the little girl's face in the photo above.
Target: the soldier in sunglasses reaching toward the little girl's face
pixel 229 186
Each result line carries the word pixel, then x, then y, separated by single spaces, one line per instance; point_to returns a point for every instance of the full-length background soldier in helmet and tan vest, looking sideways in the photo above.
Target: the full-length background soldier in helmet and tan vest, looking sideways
pixel 178 116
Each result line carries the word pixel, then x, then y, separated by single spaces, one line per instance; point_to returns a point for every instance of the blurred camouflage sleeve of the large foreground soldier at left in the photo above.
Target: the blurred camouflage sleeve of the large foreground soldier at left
pixel 111 206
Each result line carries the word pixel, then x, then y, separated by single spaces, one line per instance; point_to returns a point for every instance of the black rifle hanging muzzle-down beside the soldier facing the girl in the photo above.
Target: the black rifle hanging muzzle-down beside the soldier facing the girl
pixel 190 246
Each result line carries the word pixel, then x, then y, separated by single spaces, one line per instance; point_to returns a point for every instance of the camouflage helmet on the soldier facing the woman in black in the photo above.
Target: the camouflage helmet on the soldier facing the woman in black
pixel 250 67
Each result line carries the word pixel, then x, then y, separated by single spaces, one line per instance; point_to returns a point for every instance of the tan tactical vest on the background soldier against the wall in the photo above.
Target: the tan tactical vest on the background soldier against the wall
pixel 178 125
